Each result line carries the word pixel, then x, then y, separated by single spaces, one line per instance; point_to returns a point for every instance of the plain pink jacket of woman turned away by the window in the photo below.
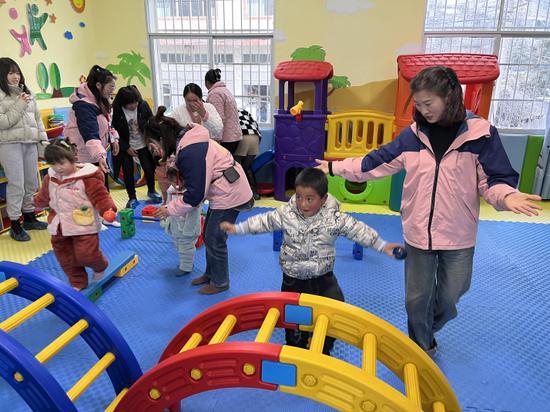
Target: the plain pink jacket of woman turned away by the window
pixel 225 104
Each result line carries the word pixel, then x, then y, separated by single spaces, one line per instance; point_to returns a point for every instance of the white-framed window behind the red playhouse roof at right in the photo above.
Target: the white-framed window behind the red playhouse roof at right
pixel 518 31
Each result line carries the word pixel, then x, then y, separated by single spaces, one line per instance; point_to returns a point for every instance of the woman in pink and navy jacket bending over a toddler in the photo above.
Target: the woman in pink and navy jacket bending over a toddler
pixel 208 171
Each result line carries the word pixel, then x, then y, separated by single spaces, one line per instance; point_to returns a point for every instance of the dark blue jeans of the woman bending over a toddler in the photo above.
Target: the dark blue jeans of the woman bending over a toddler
pixel 215 240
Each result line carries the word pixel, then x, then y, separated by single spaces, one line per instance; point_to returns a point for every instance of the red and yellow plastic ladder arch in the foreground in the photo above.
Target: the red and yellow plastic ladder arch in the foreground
pixel 200 359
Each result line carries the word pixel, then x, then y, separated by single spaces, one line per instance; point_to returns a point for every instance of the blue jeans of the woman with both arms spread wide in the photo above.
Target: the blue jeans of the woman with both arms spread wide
pixel 434 282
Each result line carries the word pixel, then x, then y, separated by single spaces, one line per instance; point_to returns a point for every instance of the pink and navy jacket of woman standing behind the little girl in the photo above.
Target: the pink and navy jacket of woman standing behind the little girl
pixel 87 127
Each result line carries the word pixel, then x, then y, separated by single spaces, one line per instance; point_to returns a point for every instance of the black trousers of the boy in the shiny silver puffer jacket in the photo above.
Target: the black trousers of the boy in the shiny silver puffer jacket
pixel 326 286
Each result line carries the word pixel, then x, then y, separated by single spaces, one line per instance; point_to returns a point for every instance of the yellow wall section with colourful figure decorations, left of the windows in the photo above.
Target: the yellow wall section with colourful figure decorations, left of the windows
pixel 112 27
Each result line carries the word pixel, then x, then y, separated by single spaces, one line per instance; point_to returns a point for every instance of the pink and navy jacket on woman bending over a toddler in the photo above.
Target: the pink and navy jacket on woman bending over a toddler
pixel 201 162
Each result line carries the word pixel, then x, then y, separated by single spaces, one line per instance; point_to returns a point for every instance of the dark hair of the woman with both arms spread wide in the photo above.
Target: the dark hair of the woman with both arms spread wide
pixel 443 82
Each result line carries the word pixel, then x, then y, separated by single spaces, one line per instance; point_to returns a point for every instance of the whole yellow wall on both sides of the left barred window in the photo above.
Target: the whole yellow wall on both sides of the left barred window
pixel 362 39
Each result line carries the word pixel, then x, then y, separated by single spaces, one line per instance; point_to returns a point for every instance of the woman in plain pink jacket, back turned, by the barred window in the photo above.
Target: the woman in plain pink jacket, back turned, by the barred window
pixel 224 102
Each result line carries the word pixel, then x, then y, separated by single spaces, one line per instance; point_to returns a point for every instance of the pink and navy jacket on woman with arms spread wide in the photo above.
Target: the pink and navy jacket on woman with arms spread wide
pixel 440 203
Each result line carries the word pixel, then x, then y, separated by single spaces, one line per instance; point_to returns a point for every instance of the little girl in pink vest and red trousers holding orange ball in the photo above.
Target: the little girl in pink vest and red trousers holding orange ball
pixel 77 196
